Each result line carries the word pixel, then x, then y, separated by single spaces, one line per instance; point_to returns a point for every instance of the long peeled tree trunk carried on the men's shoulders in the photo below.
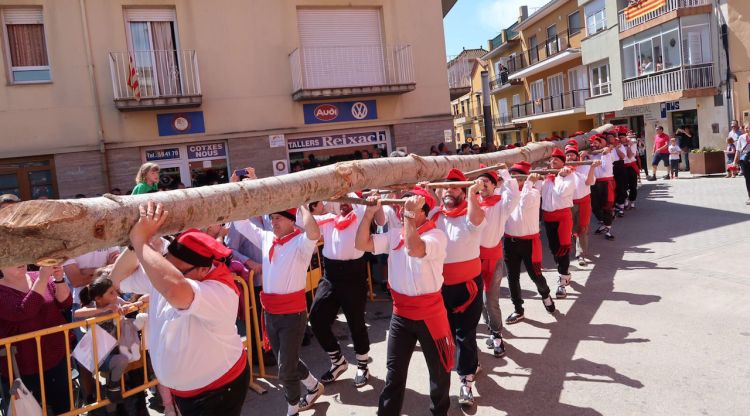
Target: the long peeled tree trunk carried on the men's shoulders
pixel 51 231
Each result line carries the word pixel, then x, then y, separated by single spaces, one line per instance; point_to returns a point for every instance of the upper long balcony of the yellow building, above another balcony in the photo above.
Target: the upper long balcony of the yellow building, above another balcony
pixel 552 52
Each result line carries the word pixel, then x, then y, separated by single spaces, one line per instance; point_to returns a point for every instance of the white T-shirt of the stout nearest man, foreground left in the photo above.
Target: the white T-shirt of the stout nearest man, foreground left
pixel 193 347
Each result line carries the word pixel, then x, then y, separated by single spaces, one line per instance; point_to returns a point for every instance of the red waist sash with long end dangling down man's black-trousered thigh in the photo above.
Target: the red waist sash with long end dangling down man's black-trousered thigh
pixel 430 309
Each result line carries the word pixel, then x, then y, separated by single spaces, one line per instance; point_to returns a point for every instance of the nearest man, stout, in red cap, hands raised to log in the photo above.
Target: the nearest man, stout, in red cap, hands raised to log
pixel 193 340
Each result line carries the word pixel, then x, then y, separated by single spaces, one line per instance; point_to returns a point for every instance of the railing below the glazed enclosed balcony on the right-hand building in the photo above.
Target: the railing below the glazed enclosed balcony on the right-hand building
pixel 673 80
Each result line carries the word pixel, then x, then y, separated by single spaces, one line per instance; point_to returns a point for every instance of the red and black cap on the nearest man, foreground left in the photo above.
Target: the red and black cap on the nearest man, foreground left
pixel 198 248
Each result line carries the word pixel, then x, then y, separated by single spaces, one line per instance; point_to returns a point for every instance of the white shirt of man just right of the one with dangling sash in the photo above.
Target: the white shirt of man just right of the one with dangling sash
pixel 463 237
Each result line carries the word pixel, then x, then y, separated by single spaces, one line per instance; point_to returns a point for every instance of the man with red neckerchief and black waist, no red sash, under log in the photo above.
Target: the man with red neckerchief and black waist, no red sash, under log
pixel 344 286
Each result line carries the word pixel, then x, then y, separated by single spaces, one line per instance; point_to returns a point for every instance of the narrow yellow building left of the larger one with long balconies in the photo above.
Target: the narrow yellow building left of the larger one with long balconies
pixel 507 92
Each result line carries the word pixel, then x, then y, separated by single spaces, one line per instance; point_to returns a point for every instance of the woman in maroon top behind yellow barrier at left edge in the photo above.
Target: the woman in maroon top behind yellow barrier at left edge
pixel 30 301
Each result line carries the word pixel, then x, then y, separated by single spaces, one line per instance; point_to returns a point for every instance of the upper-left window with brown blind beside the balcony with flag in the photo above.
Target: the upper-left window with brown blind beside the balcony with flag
pixel 25 46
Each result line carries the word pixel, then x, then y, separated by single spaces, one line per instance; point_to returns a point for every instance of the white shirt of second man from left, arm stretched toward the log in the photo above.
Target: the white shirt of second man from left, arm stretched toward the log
pixel 287 273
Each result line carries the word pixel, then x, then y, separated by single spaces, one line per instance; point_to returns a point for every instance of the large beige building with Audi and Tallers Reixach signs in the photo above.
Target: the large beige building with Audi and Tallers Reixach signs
pixel 95 88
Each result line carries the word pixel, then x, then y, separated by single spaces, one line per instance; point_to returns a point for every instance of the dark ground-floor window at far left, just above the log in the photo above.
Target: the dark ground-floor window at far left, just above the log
pixel 30 178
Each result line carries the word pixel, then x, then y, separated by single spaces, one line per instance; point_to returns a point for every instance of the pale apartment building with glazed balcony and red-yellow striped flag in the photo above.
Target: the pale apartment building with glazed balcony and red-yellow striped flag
pixel 670 65
